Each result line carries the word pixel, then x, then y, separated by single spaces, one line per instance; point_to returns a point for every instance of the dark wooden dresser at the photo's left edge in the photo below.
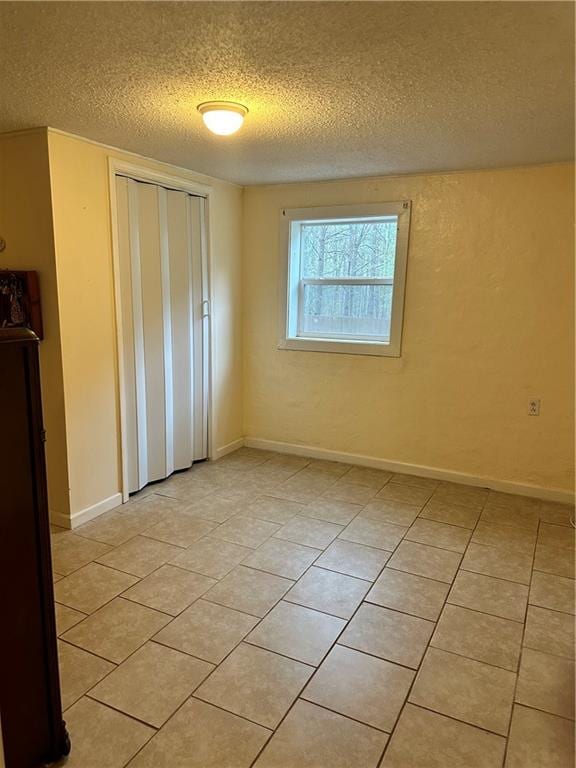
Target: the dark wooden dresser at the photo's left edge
pixel 30 708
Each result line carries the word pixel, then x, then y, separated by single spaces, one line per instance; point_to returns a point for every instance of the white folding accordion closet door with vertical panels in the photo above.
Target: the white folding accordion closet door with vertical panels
pixel 160 238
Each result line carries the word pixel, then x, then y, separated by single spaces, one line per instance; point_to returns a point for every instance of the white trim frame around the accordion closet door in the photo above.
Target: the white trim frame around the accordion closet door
pixel 118 167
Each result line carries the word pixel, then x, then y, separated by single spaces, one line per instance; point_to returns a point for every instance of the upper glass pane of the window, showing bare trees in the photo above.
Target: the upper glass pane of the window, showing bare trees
pixel 348 249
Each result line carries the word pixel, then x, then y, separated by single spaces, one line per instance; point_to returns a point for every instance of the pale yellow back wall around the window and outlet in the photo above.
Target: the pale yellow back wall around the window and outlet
pixel 488 325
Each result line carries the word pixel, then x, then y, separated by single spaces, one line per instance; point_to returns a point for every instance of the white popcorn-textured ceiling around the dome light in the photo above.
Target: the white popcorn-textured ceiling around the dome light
pixel 335 89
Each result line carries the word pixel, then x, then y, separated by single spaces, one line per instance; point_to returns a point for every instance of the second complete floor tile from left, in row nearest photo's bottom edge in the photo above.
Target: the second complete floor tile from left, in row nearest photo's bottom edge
pixel 255 684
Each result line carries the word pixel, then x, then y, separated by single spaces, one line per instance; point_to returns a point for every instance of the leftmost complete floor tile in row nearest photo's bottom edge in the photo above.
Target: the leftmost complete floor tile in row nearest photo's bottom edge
pixel 152 683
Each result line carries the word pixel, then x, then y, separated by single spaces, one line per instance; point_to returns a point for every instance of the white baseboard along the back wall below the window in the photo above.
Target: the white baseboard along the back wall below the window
pixel 505 486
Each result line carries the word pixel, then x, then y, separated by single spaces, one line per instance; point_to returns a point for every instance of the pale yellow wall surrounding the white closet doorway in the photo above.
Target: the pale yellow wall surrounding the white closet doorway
pixel 82 226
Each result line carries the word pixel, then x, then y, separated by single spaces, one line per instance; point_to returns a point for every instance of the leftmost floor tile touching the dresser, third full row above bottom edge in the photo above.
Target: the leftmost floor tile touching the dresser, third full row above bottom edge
pixel 91 587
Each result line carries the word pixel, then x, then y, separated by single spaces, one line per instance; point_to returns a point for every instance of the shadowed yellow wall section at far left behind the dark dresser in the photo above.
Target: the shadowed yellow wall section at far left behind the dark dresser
pixel 26 225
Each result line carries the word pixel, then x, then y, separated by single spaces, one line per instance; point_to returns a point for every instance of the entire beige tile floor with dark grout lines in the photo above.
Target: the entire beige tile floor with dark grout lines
pixel 279 612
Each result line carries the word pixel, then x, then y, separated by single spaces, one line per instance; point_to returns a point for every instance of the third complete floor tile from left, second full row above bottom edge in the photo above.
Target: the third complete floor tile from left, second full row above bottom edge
pixel 297 632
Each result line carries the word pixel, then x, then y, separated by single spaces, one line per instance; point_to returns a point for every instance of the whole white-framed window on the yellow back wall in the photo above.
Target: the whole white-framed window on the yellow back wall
pixel 343 283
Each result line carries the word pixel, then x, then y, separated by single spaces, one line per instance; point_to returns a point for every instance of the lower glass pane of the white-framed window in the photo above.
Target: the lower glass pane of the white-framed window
pixel 354 310
